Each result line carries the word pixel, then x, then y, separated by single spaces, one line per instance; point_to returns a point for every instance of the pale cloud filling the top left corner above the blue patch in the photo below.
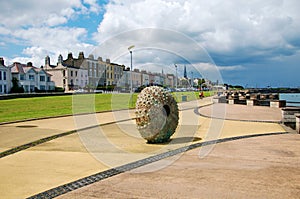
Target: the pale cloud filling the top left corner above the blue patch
pixel 35 13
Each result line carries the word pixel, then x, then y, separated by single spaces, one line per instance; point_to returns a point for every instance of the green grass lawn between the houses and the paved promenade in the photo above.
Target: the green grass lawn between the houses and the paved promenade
pixel 38 107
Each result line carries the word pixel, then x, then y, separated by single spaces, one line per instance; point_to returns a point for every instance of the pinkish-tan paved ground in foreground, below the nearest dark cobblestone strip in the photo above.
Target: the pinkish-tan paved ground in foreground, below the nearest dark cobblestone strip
pixel 262 167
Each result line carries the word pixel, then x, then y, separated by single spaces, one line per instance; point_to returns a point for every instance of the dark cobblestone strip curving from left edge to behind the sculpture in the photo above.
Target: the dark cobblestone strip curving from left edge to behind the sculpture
pixel 47 139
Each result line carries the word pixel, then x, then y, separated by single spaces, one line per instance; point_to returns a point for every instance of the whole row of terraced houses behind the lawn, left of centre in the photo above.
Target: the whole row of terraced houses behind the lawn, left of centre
pixel 77 73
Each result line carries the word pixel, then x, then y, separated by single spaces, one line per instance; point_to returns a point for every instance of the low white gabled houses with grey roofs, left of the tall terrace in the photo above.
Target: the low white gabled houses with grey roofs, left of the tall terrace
pixel 32 78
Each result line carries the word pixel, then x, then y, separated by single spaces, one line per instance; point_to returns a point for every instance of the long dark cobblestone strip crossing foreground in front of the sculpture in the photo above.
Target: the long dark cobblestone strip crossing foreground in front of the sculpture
pixel 63 189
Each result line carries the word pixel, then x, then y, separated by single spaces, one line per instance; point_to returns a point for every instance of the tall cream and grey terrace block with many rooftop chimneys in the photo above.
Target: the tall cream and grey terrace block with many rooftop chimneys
pixel 84 73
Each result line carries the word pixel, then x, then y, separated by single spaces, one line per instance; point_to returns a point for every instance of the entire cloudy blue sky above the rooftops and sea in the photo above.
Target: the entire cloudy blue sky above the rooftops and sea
pixel 249 43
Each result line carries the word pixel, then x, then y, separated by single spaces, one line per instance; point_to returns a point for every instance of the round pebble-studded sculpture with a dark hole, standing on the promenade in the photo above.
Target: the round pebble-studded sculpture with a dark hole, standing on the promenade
pixel 156 114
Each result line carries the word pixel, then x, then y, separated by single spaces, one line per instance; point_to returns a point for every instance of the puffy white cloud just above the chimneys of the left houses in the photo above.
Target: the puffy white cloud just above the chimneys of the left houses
pixel 51 41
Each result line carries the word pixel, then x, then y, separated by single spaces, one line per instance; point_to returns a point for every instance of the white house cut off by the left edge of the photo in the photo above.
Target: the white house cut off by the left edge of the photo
pixel 5 78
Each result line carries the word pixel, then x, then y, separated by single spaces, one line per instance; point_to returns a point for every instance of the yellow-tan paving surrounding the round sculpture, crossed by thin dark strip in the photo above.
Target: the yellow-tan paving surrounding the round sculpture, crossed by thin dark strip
pixel 93 150
